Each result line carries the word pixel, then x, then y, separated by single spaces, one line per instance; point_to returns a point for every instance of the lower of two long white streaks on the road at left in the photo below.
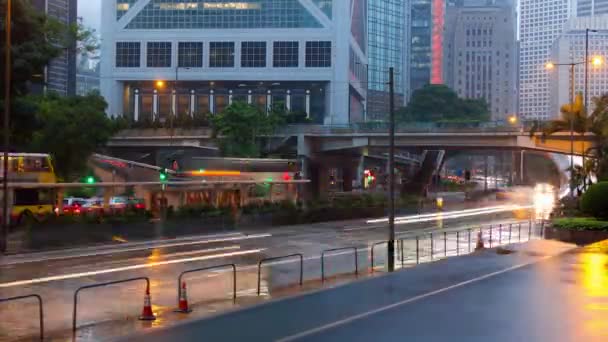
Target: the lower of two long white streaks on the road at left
pixel 127 268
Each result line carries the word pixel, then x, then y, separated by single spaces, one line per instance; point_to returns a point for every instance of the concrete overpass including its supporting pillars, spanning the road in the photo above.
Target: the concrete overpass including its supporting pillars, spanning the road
pixel 348 149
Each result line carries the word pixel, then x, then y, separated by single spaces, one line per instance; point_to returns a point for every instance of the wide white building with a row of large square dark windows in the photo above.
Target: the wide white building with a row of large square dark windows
pixel 198 56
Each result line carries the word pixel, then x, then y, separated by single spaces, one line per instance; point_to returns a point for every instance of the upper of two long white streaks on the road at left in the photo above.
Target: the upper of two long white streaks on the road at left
pixel 134 249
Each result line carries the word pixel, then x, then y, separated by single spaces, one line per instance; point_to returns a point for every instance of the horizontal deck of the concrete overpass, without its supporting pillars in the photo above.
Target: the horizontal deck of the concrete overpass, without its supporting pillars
pixel 309 139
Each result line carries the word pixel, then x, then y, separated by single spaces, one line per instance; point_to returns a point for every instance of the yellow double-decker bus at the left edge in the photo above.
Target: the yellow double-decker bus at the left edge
pixel 29 203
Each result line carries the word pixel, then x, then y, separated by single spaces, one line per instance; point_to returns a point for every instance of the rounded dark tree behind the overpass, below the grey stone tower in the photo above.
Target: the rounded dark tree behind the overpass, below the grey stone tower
pixel 435 103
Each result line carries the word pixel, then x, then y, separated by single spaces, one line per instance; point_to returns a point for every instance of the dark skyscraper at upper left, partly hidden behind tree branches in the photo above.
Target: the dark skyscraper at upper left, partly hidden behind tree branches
pixel 60 75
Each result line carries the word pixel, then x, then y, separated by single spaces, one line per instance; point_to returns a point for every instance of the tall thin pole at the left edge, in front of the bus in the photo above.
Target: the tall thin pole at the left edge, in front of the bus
pixel 6 129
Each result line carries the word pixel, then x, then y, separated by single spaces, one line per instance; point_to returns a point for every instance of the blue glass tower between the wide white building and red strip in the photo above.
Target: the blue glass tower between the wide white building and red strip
pixel 388 44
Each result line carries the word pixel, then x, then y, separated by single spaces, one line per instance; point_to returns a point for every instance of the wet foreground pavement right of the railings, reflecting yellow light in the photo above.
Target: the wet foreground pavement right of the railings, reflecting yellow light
pixel 546 291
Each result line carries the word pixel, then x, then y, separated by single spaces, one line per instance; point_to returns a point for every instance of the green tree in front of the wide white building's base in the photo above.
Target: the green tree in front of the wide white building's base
pixel 240 127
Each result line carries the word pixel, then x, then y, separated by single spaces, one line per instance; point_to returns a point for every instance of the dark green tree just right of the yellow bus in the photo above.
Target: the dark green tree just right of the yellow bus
pixel 74 127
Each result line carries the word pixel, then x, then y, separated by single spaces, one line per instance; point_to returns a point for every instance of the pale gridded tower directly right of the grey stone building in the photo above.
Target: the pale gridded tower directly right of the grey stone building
pixel 541 22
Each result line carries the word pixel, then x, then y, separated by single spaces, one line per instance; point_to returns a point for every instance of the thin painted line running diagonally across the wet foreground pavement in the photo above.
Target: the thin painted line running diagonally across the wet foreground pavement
pixel 407 301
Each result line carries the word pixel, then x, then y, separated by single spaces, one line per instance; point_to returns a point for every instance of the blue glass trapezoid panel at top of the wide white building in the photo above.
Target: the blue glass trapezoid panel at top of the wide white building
pixel 220 14
